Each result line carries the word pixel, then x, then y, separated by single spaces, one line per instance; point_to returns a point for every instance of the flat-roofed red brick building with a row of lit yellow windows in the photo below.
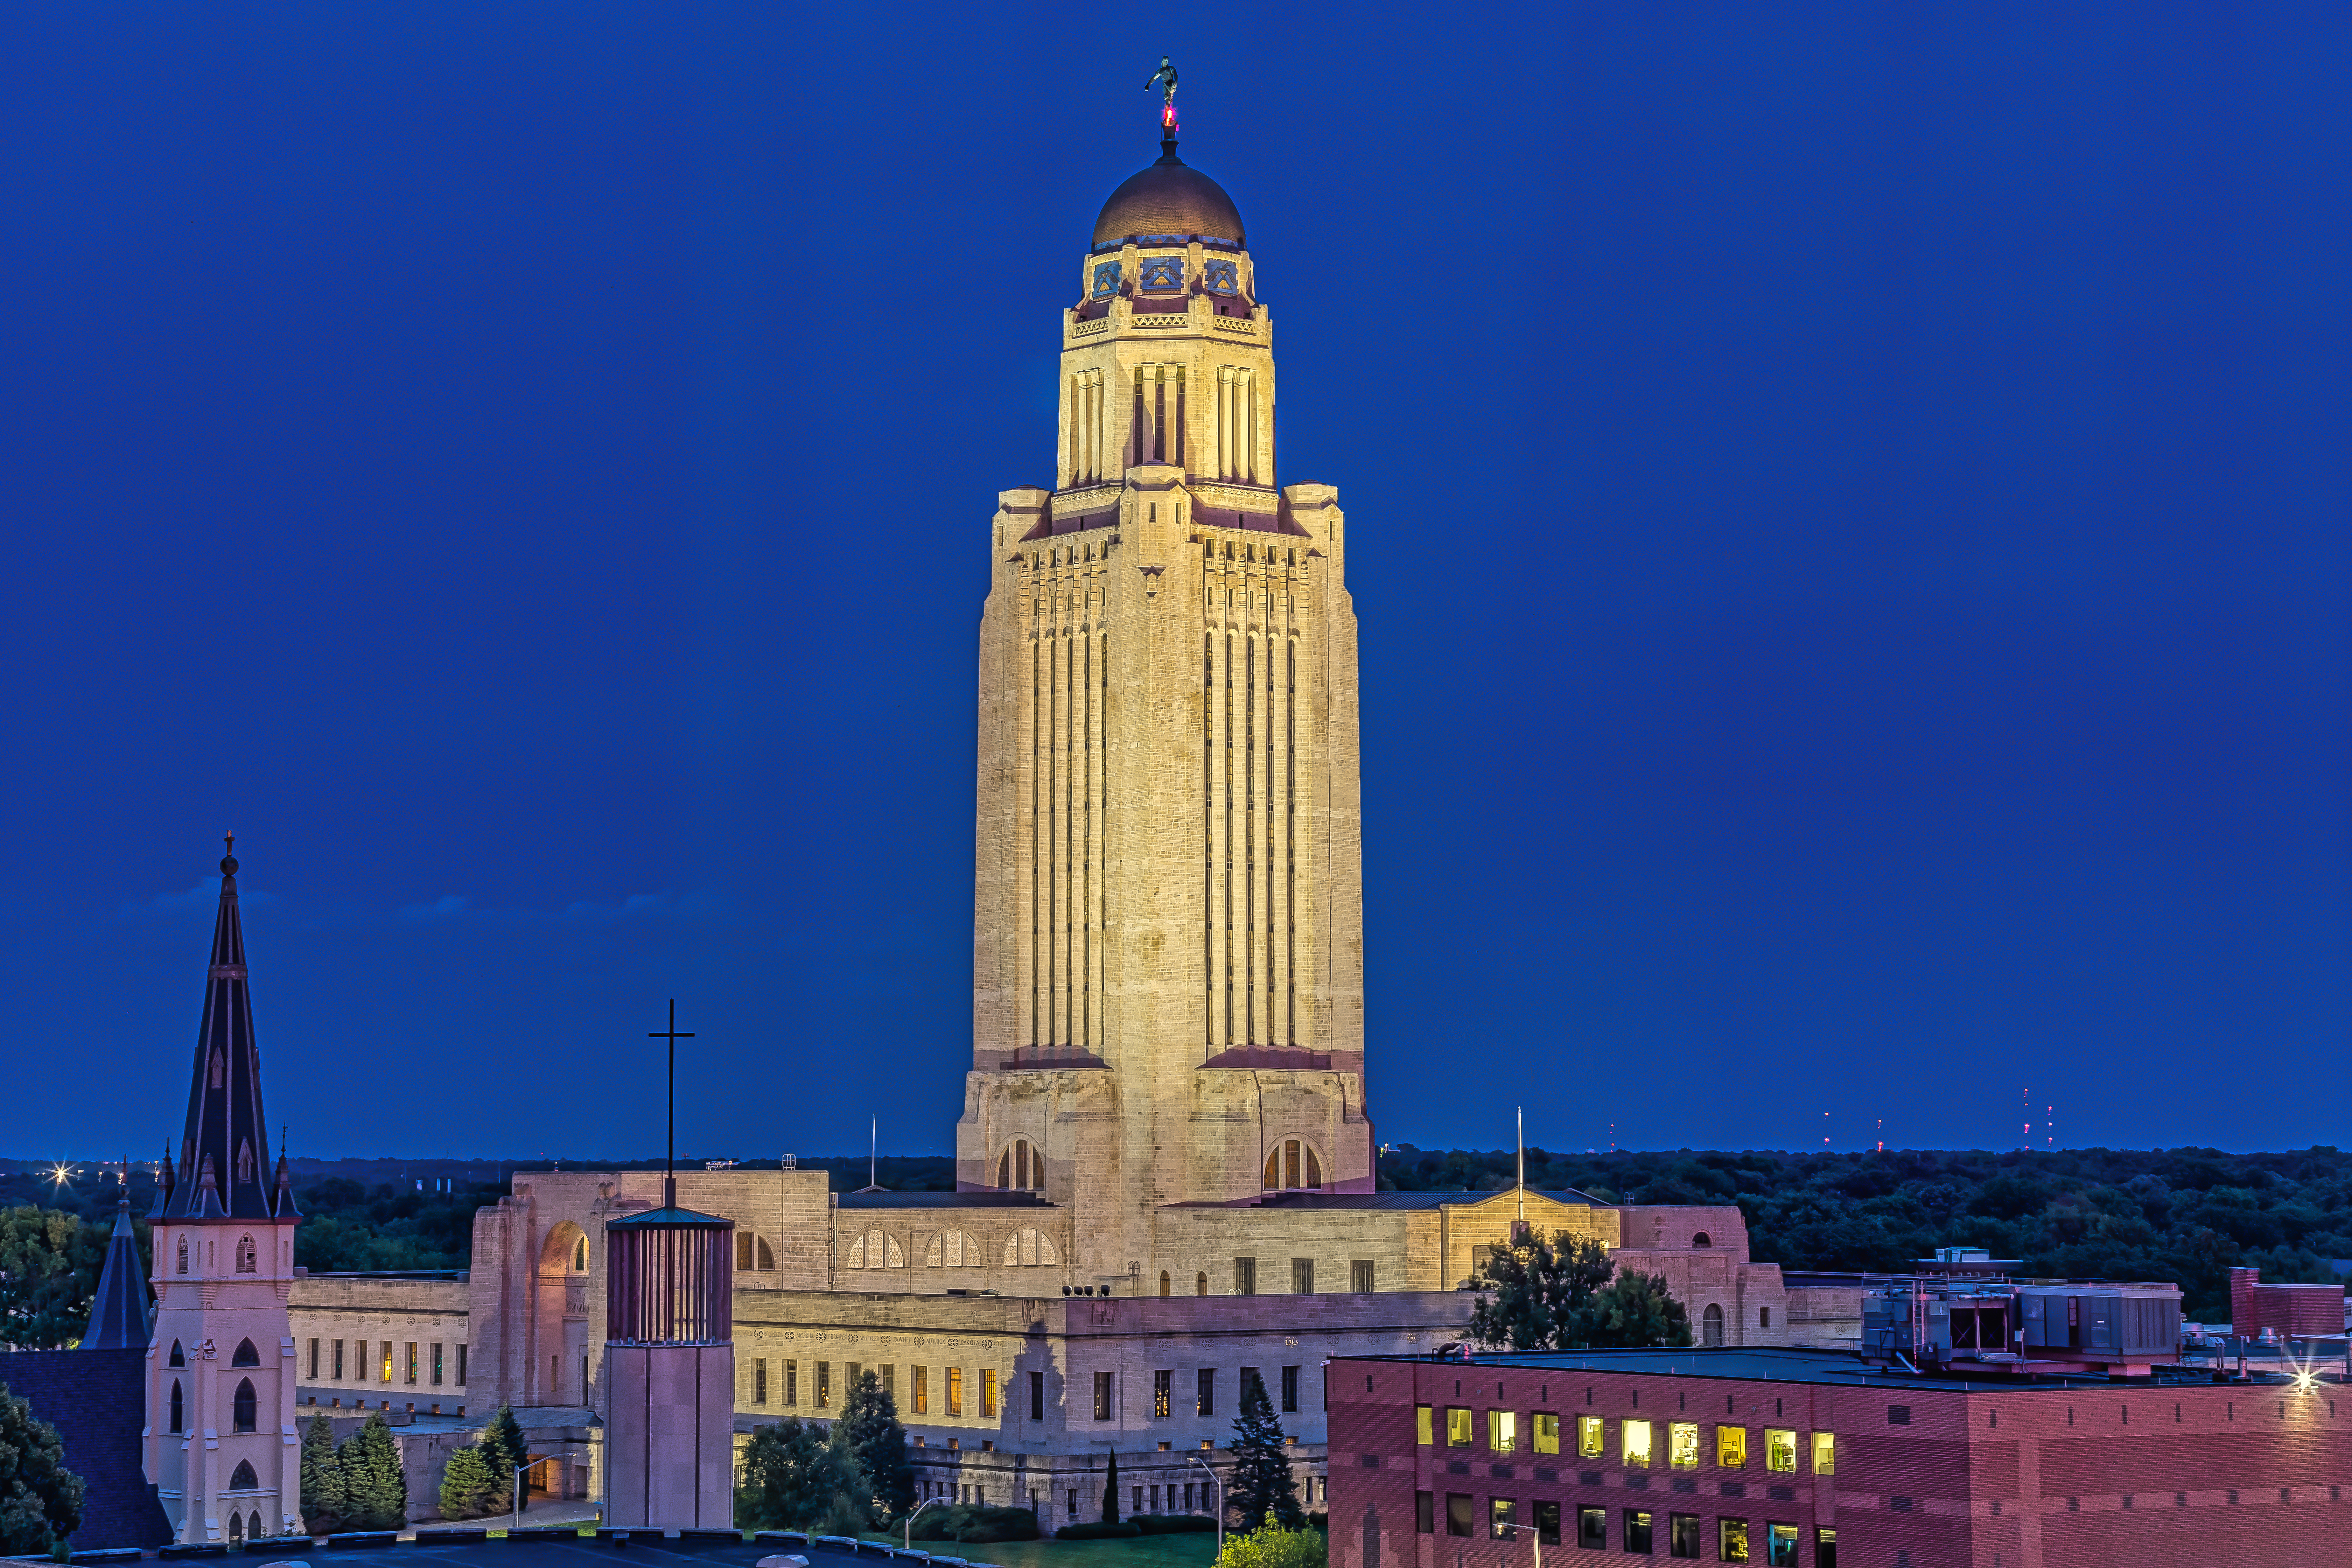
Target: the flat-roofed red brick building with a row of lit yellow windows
pixel 1815 1459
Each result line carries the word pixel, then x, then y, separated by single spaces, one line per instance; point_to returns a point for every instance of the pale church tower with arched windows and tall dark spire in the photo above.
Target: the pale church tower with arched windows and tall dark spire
pixel 220 1398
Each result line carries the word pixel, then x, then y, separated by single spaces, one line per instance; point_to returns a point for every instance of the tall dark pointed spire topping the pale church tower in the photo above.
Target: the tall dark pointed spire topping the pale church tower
pixel 225 1153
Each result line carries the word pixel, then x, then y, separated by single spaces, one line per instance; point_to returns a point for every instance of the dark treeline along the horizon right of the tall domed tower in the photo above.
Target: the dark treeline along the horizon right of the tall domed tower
pixel 2071 1214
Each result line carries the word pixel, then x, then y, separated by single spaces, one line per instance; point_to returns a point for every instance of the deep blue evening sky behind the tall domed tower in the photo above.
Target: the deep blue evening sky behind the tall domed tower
pixel 1850 535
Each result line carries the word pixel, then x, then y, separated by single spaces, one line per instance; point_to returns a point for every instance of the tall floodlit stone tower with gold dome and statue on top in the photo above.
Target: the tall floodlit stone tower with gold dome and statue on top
pixel 1168 920
